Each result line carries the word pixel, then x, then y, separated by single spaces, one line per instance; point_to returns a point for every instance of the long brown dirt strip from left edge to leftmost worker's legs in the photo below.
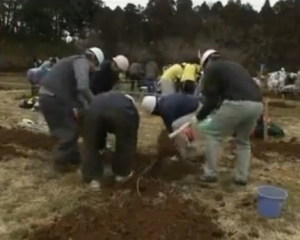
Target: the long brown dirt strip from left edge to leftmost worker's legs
pixel 26 139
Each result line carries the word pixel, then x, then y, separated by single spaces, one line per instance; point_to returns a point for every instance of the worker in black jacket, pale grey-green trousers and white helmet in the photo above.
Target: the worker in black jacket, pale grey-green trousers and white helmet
pixel 232 104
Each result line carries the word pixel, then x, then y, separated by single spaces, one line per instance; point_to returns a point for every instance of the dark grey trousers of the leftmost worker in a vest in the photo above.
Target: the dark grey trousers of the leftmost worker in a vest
pixel 63 125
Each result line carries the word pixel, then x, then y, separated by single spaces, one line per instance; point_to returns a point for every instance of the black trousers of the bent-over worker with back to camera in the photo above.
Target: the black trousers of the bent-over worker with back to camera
pixel 95 128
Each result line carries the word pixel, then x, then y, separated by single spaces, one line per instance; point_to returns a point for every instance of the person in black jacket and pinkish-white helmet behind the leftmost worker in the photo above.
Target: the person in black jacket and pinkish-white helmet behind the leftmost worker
pixel 105 79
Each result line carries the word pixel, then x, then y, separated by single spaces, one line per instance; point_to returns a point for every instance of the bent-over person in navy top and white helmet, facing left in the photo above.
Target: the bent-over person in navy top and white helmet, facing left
pixel 175 109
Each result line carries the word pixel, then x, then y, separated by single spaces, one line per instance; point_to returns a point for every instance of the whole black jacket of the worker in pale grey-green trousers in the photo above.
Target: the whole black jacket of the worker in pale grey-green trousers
pixel 226 80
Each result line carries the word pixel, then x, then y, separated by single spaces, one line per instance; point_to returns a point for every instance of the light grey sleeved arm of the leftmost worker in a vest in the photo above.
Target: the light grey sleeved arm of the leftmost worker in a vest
pixel 81 70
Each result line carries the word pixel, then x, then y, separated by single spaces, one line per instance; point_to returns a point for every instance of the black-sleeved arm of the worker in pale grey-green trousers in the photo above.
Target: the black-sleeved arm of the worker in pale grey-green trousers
pixel 210 92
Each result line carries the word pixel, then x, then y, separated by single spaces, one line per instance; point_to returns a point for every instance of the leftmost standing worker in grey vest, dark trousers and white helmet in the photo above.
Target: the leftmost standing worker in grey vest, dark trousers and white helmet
pixel 62 89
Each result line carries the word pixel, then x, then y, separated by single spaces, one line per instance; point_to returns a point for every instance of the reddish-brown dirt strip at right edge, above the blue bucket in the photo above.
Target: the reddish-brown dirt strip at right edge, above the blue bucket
pixel 287 149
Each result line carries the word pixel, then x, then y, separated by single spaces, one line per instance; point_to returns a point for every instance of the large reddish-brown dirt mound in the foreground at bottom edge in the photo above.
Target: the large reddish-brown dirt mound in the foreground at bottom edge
pixel 133 218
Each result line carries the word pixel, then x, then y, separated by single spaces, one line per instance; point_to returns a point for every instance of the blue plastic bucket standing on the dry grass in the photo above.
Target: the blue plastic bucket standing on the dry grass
pixel 270 201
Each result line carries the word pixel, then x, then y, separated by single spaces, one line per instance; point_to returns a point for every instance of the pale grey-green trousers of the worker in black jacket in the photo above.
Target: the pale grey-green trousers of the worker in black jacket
pixel 238 117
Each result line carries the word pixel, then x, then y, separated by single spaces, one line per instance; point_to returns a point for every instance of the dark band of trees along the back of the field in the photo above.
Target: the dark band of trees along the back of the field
pixel 169 30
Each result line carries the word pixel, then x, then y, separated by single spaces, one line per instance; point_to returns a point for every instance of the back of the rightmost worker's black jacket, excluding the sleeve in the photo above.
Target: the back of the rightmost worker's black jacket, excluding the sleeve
pixel 236 83
